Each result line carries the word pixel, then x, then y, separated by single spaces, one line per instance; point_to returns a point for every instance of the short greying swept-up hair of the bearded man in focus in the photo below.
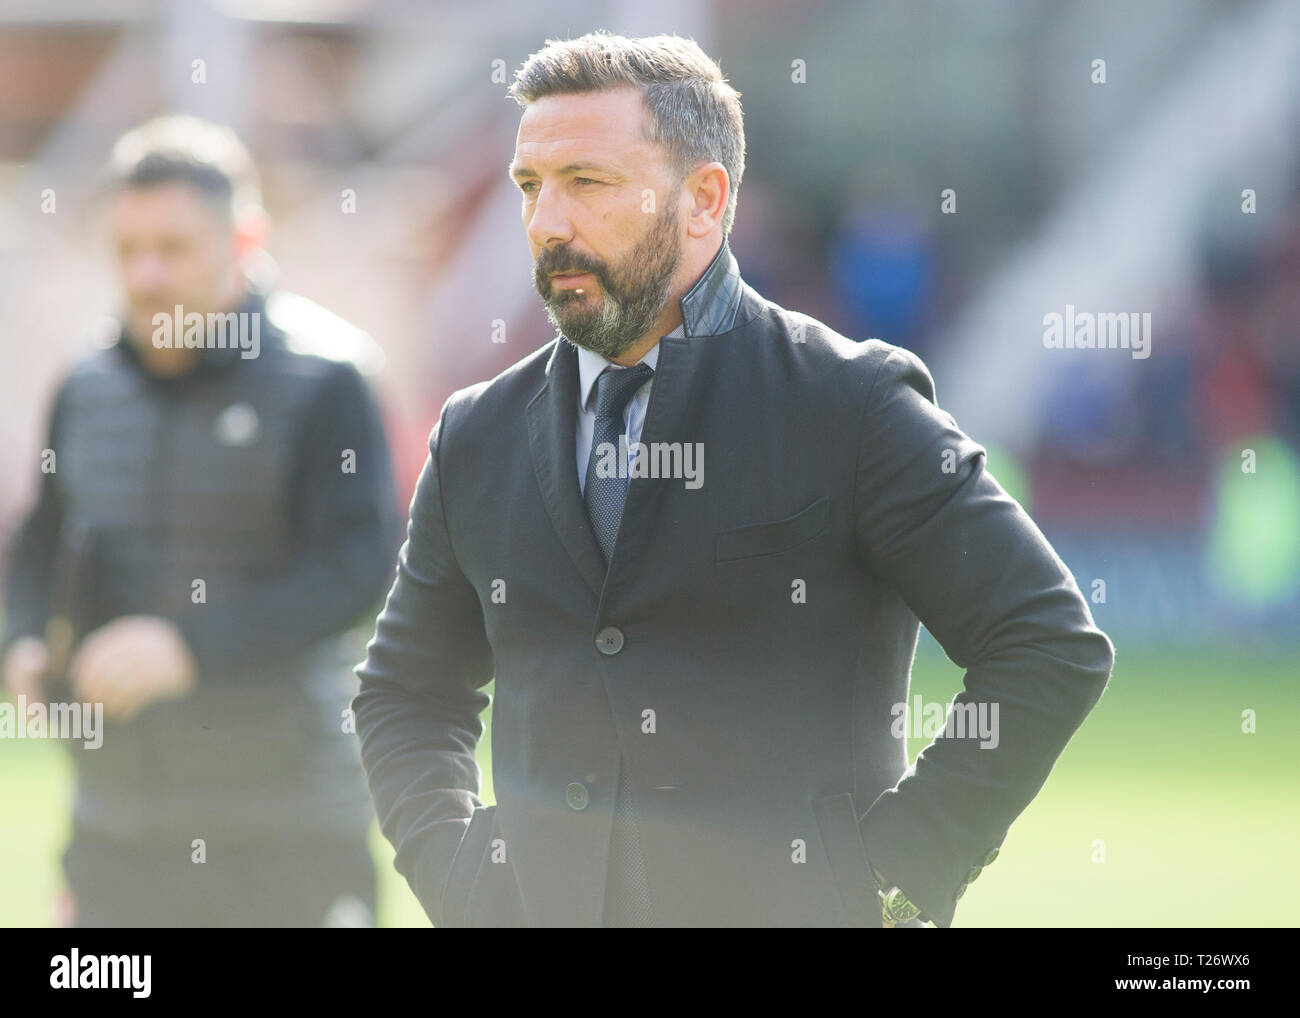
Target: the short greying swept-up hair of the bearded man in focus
pixel 695 112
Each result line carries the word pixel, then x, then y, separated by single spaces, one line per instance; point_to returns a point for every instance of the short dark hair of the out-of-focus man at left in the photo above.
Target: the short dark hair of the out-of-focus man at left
pixel 177 149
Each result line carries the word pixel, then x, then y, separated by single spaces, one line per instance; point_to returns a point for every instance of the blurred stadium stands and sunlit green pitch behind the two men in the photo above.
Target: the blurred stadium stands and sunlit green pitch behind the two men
pixel 1116 197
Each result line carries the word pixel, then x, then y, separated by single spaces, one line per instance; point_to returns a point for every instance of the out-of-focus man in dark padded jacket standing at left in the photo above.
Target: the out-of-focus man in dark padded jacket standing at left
pixel 216 510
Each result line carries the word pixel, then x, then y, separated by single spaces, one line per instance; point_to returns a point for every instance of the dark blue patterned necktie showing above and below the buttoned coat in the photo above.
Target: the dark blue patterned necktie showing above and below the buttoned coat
pixel 627 896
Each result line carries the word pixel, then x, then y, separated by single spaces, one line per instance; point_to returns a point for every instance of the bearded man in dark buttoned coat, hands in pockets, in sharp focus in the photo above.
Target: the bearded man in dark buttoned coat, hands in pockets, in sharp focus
pixel 691 539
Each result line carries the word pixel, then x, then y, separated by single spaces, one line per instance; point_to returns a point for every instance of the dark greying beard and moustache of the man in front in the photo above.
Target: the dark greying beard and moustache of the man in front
pixel 609 317
